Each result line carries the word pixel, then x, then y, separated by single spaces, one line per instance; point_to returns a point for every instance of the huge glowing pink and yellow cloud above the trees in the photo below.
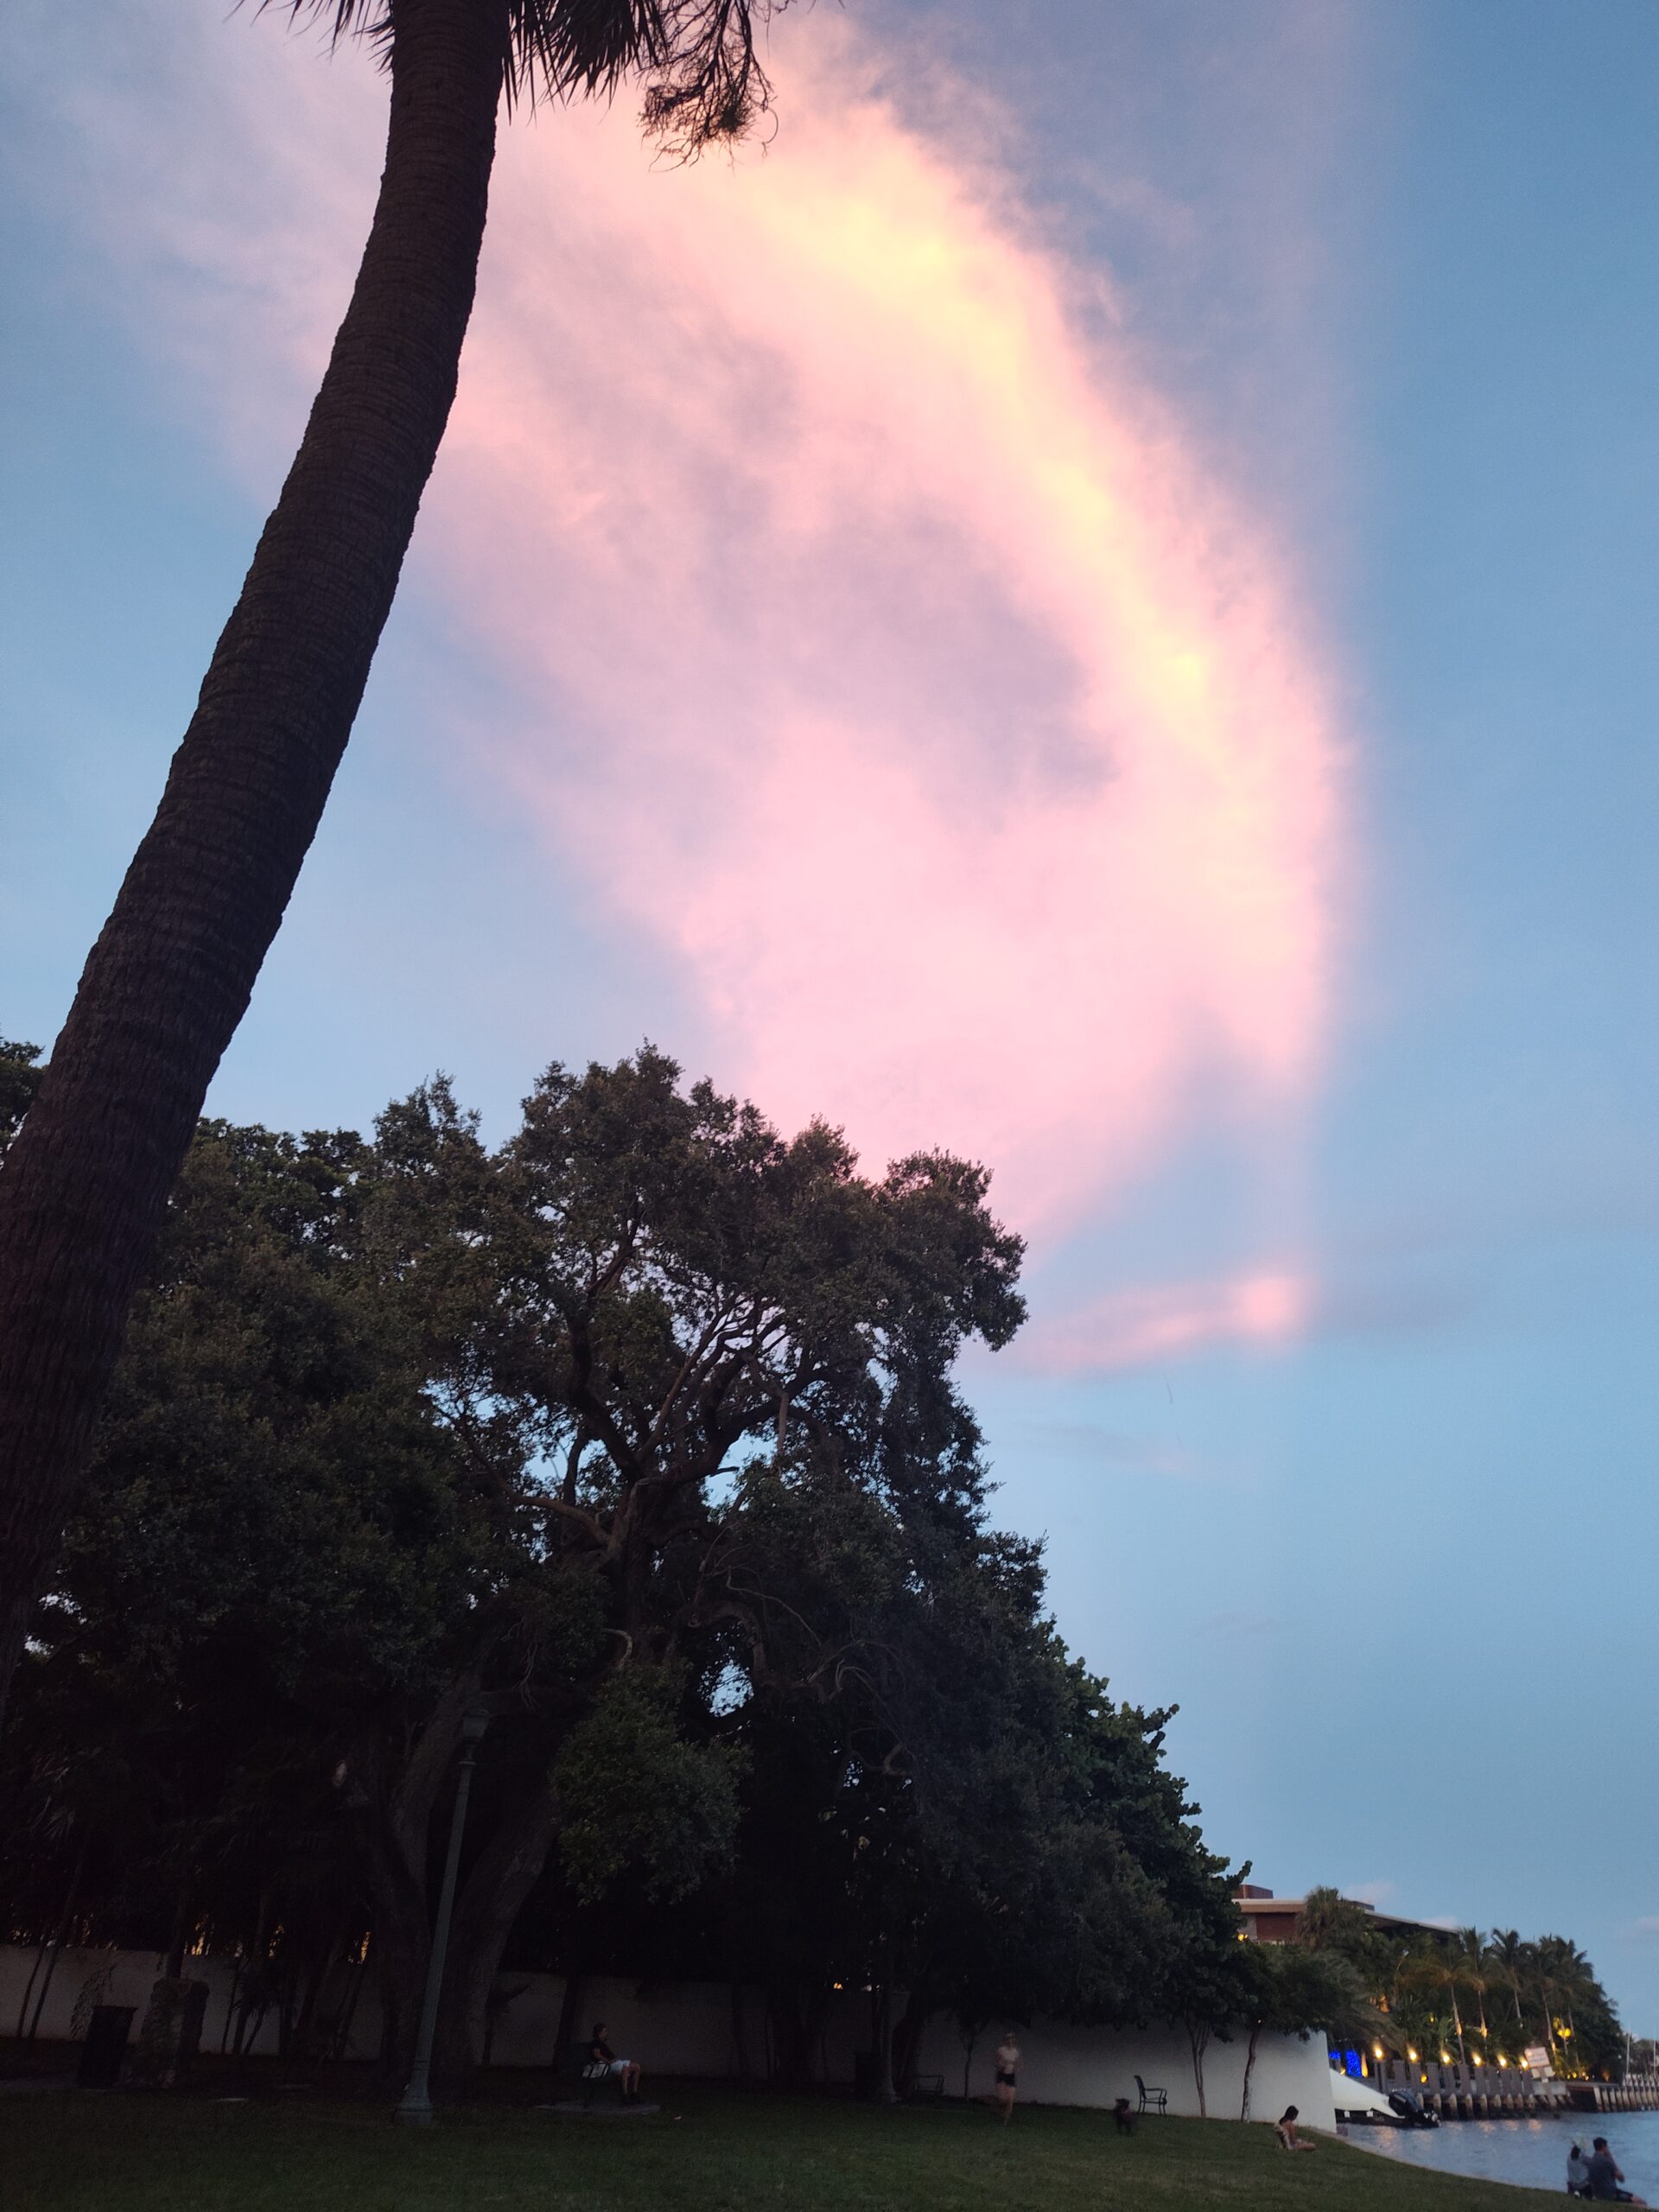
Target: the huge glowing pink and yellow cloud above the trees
pixel 893 660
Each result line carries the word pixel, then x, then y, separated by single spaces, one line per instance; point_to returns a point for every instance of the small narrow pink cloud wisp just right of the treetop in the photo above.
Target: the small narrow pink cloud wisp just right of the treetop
pixel 1142 1326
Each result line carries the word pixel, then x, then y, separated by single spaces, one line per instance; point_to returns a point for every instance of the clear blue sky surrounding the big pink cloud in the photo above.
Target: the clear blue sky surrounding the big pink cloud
pixel 1395 271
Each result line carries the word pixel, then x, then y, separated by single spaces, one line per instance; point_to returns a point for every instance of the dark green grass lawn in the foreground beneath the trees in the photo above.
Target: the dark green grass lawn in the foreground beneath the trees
pixel 705 2153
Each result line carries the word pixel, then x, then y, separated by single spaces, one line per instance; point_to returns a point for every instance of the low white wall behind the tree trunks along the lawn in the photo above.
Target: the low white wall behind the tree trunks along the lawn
pixel 698 2032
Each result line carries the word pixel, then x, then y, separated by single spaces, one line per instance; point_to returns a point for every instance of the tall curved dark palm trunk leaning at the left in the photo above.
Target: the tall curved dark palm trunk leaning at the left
pixel 85 1185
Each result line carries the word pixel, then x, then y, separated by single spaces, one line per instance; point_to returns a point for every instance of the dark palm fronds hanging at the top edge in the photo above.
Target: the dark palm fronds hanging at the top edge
pixel 702 76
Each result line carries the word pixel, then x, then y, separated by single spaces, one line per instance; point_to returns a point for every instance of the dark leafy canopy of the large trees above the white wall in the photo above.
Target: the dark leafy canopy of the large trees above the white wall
pixel 640 1432
